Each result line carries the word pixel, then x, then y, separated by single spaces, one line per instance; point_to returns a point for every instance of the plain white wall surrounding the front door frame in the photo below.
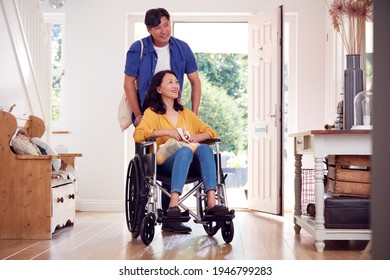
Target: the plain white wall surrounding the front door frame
pixel 95 57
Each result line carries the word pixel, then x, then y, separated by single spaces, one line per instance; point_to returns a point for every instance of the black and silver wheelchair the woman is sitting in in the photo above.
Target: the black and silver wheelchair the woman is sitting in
pixel 144 193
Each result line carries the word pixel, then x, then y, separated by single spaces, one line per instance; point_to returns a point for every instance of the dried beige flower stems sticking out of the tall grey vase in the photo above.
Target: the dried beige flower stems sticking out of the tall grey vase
pixel 349 18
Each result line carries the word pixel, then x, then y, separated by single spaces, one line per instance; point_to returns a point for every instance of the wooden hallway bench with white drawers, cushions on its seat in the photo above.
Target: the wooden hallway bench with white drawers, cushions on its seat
pixel 33 200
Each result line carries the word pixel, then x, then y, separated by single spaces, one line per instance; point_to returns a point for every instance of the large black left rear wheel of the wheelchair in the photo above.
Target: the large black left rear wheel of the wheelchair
pixel 135 196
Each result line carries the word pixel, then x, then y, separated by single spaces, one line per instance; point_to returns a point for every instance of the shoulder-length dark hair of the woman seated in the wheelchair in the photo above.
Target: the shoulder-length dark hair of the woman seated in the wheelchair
pixel 153 98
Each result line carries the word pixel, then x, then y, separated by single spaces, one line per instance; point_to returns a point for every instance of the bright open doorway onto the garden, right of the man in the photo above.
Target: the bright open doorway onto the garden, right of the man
pixel 223 68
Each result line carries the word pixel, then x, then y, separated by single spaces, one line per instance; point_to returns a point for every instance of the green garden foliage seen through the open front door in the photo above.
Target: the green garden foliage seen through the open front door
pixel 224 97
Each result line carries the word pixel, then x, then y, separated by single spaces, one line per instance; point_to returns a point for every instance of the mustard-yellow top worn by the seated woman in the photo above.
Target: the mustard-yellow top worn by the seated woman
pixel 154 121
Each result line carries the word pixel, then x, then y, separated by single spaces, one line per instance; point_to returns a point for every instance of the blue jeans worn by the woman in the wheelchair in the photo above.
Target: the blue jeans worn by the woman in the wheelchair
pixel 184 161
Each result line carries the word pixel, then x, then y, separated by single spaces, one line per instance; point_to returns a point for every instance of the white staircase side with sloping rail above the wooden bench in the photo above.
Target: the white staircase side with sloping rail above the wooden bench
pixel 26 61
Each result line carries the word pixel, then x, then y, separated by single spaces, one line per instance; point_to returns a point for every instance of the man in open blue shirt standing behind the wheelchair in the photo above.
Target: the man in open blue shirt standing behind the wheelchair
pixel 157 52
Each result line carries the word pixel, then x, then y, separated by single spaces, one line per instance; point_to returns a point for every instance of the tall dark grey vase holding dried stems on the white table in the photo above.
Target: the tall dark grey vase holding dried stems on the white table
pixel 353 84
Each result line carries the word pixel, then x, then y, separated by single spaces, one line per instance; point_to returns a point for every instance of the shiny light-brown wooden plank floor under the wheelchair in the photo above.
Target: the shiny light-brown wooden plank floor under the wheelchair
pixel 104 236
